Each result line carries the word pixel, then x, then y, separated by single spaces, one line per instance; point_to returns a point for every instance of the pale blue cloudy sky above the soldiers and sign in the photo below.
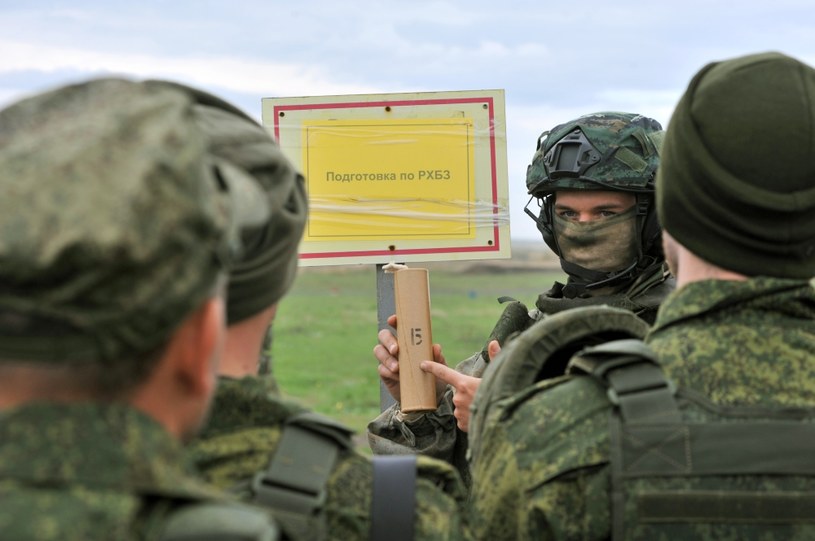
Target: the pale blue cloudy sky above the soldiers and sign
pixel 555 60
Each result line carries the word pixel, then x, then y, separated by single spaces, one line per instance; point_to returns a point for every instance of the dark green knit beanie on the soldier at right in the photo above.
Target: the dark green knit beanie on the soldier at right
pixel 737 180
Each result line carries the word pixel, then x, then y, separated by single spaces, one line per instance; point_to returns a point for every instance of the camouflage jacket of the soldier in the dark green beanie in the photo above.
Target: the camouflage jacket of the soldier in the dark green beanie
pixel 543 472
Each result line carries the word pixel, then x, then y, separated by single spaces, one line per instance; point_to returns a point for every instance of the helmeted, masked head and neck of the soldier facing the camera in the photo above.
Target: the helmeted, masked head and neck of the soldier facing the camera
pixel 593 179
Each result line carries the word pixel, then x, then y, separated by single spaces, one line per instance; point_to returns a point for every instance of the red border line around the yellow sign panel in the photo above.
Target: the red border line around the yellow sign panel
pixel 494 247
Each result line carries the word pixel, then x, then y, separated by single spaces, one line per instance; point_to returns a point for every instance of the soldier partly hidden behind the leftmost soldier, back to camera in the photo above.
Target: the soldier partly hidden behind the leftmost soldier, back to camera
pixel 272 451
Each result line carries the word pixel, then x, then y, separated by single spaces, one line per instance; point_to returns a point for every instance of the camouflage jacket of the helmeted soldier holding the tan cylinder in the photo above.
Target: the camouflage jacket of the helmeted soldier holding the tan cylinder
pixel 435 433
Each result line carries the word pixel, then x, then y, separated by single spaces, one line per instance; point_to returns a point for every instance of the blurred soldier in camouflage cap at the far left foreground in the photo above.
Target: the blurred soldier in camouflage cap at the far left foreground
pixel 116 229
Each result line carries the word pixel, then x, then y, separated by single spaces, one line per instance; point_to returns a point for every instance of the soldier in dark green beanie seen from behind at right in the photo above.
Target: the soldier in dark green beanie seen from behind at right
pixel 722 448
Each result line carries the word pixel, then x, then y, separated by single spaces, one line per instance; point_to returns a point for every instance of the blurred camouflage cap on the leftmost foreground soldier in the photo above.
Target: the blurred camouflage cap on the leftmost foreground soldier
pixel 115 220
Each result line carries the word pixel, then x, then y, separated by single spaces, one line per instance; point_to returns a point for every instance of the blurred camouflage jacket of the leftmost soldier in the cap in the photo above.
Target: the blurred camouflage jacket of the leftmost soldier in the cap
pixel 88 471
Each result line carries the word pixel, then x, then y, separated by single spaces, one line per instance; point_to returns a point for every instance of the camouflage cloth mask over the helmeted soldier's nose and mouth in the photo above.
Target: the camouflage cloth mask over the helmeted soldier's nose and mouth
pixel 605 245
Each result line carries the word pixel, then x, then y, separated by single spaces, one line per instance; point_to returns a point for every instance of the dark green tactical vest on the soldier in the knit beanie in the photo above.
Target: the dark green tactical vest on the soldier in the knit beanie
pixel 685 468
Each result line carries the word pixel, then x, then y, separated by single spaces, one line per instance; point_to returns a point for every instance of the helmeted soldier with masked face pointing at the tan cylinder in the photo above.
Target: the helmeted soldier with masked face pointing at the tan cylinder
pixel 593 178
